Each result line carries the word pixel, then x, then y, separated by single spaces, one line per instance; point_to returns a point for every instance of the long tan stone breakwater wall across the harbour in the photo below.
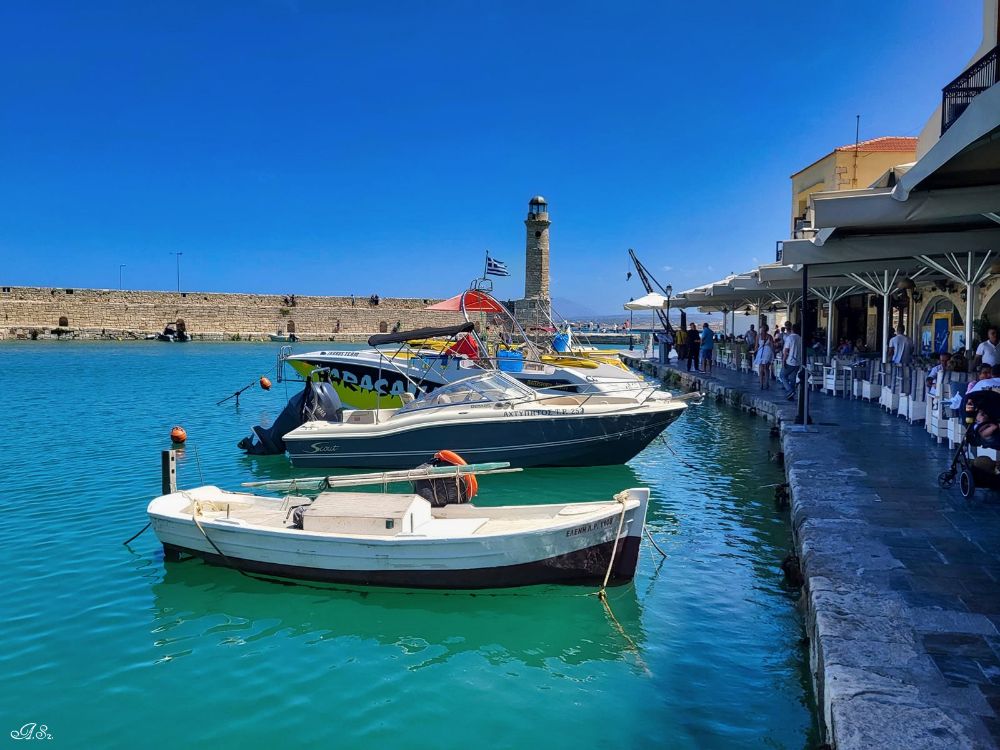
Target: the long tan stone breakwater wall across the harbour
pixel 40 313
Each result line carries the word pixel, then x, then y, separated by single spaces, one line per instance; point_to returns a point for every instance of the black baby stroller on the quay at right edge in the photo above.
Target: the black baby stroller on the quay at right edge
pixel 973 472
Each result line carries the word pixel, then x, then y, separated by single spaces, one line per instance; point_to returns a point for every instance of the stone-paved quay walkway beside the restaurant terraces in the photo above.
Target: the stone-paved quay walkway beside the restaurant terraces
pixel 902 579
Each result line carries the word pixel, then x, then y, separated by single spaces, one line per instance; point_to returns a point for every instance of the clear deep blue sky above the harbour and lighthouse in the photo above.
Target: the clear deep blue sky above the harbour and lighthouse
pixel 336 148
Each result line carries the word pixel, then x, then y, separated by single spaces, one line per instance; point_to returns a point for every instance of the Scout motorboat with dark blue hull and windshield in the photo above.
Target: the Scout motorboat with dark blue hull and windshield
pixel 489 417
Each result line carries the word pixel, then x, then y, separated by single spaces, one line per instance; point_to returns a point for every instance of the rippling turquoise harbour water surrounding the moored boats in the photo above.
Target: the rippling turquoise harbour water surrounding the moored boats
pixel 109 647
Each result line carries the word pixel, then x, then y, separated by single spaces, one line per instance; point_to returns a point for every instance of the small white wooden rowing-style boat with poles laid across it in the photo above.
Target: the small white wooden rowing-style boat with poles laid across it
pixel 402 539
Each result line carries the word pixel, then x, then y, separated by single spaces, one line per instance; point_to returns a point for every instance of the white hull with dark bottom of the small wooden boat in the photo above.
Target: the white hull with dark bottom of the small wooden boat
pixel 575 548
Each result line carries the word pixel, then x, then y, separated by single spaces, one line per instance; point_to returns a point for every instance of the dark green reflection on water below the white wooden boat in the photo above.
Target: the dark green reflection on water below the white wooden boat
pixel 196 607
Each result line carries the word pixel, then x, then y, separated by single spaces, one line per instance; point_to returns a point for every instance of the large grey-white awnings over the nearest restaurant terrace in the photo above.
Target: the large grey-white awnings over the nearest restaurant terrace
pixel 943 216
